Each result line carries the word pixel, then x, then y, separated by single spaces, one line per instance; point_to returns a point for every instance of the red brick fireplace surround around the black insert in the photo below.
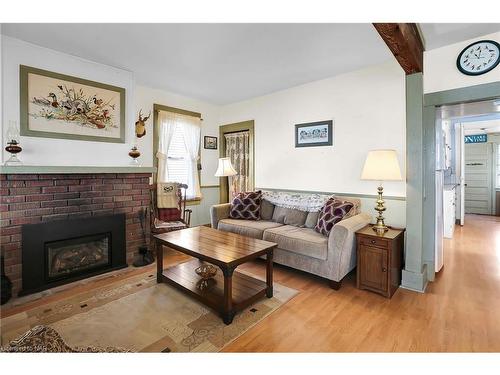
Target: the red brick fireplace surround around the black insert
pixel 38 198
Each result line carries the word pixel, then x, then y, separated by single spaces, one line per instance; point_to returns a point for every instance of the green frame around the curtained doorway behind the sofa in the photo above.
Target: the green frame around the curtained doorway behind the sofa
pixel 233 128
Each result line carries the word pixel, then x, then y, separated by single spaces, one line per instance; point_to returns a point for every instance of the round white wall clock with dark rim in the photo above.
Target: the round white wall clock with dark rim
pixel 479 57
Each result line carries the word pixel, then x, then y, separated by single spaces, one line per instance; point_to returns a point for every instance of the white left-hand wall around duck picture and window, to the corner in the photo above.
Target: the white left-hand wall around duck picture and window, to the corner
pixel 54 152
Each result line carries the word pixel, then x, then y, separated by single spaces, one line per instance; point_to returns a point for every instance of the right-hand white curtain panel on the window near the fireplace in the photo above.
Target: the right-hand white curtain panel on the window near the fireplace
pixel 192 131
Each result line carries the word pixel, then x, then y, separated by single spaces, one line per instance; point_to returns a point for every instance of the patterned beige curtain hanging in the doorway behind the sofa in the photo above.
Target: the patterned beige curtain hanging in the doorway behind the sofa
pixel 238 150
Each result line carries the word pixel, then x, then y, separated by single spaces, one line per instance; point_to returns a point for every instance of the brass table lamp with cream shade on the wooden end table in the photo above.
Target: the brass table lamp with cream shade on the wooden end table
pixel 381 165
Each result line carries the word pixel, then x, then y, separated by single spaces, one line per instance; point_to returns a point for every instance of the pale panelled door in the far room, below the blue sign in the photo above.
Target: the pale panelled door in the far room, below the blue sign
pixel 478 178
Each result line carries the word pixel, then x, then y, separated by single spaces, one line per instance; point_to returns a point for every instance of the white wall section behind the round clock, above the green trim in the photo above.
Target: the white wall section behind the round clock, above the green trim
pixel 440 69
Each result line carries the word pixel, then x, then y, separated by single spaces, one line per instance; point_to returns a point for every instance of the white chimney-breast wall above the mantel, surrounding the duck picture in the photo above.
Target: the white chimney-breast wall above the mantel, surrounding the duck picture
pixel 47 151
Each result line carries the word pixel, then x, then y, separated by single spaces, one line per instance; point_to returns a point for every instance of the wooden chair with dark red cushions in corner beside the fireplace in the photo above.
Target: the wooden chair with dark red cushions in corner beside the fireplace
pixel 165 220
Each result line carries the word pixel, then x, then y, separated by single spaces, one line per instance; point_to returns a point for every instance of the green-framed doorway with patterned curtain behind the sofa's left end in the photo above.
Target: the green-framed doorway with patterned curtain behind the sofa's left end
pixel 237 143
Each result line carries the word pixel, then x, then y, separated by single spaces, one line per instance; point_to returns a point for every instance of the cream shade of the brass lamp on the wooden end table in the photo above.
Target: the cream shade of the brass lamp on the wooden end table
pixel 381 165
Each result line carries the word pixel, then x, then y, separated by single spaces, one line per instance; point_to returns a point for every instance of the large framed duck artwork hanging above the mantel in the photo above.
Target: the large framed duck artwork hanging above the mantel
pixel 55 105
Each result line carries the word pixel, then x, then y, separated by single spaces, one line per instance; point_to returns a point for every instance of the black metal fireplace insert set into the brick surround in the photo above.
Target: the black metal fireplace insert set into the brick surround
pixel 59 252
